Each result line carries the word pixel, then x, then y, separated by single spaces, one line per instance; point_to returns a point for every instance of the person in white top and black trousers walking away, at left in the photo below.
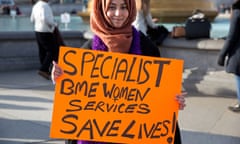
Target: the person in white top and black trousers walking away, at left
pixel 44 26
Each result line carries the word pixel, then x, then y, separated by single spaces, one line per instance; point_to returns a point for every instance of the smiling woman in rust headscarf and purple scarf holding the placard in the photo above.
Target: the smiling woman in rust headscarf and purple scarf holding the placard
pixel 111 22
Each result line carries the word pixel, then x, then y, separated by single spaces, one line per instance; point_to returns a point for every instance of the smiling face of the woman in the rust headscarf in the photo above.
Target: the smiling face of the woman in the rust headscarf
pixel 117 12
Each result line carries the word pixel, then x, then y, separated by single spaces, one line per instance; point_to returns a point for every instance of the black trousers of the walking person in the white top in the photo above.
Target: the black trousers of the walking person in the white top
pixel 48 49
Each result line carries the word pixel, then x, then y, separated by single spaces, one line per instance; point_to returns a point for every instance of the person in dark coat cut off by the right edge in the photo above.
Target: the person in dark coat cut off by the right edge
pixel 230 53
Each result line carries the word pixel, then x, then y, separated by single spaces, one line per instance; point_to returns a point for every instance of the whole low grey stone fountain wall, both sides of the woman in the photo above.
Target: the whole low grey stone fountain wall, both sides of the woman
pixel 201 74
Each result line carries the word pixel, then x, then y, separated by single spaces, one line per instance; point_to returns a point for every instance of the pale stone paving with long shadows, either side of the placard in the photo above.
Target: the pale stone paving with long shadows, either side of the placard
pixel 26 106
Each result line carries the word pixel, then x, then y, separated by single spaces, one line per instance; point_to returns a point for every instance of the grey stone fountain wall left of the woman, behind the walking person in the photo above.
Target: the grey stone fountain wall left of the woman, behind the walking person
pixel 19 50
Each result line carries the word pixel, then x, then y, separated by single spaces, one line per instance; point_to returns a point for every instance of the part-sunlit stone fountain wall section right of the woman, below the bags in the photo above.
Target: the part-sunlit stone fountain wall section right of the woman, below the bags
pixel 201 75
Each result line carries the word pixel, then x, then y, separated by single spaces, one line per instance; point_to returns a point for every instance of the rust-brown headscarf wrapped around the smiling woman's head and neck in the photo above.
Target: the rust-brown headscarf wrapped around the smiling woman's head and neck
pixel 116 39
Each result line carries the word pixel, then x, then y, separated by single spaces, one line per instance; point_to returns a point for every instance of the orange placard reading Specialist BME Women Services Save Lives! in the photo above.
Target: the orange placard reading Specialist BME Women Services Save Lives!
pixel 113 97
